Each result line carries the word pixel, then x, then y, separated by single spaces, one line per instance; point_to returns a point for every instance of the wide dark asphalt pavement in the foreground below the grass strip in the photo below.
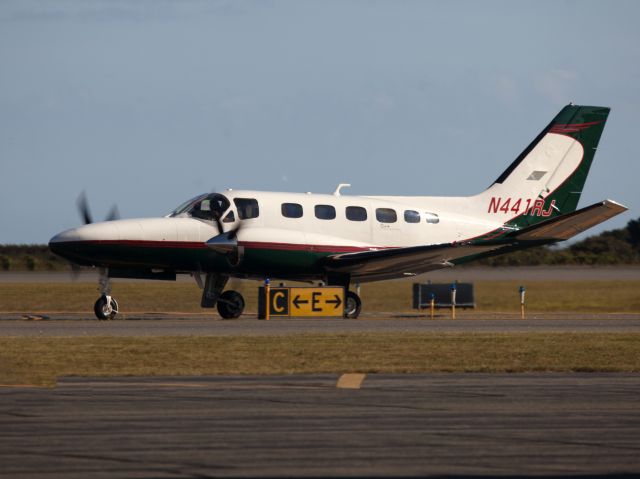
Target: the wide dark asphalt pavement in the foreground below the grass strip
pixel 303 426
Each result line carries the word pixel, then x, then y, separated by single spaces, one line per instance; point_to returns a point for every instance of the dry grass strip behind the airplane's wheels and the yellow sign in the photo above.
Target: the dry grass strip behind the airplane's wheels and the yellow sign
pixel 491 296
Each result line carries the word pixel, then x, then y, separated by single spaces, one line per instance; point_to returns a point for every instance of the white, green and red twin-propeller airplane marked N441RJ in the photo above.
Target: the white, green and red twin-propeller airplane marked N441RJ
pixel 340 239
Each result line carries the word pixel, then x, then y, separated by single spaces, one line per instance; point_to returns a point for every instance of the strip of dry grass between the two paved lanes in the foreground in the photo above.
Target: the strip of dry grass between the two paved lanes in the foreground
pixel 39 361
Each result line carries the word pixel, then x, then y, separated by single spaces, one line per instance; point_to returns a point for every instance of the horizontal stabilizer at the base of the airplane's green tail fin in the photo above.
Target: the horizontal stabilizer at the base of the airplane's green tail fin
pixel 566 226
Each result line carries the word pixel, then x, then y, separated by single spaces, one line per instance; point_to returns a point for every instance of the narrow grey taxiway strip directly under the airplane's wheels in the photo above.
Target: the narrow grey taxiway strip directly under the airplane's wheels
pixel 77 325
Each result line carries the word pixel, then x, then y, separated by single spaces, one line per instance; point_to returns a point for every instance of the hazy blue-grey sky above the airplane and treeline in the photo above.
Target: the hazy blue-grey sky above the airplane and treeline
pixel 148 103
